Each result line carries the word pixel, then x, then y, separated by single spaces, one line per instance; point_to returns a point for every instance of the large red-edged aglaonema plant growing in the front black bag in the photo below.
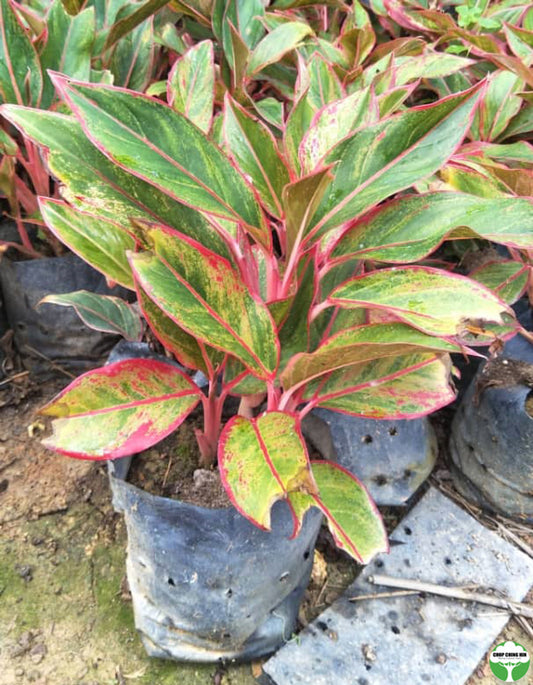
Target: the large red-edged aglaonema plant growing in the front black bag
pixel 291 271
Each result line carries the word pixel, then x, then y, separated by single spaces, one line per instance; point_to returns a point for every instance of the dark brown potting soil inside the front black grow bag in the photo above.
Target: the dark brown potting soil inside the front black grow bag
pixel 171 469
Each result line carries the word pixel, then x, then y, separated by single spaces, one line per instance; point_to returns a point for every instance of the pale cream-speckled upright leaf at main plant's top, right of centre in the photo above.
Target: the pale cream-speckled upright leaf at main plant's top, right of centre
pixel 333 122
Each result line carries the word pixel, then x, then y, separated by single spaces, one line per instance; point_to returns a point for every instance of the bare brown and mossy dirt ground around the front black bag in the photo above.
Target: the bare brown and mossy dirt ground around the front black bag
pixel 65 613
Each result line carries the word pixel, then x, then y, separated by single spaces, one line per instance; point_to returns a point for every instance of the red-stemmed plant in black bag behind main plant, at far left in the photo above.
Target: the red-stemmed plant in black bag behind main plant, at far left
pixel 96 42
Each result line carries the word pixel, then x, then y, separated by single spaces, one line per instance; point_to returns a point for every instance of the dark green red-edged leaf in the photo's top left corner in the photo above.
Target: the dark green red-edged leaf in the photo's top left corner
pixel 21 79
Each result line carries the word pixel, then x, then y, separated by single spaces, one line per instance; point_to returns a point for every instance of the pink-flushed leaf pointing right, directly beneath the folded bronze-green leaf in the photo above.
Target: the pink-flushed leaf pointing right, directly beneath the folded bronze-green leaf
pixel 397 387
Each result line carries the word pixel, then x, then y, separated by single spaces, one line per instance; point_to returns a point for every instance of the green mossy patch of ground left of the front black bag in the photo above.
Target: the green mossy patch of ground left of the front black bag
pixel 64 619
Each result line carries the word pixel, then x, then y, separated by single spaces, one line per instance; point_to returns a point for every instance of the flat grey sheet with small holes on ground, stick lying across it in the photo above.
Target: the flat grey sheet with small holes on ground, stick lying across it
pixel 414 639
